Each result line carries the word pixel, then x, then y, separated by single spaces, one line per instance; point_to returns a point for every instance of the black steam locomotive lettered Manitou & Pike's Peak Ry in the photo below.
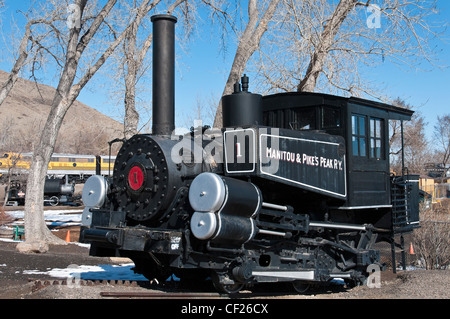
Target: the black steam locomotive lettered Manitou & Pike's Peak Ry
pixel 296 187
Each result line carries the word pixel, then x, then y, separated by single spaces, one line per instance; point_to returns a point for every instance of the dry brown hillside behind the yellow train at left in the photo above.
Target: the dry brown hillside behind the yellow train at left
pixel 25 111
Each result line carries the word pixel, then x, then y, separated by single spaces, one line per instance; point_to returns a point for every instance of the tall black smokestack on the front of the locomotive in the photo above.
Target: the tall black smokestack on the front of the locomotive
pixel 163 74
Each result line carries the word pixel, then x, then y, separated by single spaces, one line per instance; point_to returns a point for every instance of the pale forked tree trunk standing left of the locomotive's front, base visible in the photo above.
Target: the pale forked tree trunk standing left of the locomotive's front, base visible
pixel 38 235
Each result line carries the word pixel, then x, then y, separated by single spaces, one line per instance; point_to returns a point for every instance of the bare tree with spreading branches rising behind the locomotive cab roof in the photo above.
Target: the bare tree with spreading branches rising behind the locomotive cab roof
pixel 326 46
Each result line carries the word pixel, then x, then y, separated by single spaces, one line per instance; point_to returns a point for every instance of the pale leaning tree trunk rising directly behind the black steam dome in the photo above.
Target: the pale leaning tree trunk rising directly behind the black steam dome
pixel 248 43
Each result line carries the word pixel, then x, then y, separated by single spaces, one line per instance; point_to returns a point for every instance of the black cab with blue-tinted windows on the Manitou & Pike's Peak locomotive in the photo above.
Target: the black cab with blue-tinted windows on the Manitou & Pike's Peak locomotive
pixel 362 123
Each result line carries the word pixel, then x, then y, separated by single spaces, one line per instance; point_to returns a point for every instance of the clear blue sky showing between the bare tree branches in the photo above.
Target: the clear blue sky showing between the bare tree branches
pixel 203 70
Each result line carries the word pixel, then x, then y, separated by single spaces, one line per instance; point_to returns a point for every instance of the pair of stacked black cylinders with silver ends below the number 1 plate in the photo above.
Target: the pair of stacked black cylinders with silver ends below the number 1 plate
pixel 224 208
